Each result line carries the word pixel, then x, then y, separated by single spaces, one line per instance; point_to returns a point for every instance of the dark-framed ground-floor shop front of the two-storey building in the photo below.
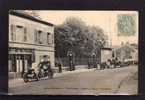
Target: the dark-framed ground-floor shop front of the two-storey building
pixel 20 60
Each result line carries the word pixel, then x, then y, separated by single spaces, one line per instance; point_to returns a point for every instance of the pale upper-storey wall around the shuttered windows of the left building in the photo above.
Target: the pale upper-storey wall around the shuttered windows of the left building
pixel 31 26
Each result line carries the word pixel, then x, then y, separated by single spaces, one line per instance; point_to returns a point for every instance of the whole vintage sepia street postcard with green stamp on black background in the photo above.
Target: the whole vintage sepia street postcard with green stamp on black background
pixel 73 52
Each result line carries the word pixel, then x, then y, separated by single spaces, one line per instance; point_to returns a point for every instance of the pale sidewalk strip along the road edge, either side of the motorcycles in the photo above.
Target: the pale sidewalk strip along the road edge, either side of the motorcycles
pixel 19 81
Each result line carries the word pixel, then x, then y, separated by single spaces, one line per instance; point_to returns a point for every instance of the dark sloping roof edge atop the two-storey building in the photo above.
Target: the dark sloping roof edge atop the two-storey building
pixel 26 16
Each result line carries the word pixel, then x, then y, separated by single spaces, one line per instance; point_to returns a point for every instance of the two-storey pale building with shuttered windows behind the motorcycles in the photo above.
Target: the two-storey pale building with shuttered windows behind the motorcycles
pixel 29 40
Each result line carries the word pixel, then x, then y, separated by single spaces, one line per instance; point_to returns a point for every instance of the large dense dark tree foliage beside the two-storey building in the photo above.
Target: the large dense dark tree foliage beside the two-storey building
pixel 76 35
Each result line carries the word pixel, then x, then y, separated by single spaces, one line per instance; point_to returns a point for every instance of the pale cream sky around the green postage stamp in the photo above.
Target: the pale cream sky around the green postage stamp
pixel 105 19
